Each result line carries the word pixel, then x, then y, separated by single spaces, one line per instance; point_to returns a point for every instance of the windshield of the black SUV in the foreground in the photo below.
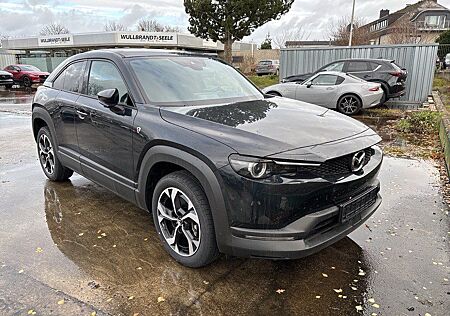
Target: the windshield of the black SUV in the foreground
pixel 187 80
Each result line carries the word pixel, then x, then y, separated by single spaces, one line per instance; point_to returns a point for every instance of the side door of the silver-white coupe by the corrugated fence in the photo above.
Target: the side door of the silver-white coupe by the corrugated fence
pixel 319 90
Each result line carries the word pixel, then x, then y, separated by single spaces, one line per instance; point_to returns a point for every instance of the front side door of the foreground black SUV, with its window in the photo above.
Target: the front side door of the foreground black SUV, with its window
pixel 105 133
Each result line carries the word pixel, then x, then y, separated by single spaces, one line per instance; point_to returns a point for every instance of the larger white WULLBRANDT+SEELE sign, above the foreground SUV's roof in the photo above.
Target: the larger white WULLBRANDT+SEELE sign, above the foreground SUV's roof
pixel 154 38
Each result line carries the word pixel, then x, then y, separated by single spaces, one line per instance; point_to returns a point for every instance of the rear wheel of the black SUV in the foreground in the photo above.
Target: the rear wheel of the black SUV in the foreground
pixel 49 161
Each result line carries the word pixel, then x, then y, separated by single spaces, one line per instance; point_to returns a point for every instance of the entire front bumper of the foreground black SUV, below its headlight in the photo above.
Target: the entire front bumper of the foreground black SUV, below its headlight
pixel 293 219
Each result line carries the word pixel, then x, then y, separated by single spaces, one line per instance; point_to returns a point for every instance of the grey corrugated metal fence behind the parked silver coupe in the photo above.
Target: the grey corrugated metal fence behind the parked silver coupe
pixel 419 60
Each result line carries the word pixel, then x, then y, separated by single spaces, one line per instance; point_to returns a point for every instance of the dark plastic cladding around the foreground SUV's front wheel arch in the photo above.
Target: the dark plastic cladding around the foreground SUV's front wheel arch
pixel 174 159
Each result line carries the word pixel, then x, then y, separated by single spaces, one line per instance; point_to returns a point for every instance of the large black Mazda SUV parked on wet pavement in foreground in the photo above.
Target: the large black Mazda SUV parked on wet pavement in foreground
pixel 220 166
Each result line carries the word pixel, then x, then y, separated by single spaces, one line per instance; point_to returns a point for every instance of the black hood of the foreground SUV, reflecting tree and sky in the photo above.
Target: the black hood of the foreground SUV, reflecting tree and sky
pixel 266 127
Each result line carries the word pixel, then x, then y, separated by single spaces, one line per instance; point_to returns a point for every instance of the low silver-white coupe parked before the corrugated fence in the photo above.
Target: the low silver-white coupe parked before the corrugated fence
pixel 335 90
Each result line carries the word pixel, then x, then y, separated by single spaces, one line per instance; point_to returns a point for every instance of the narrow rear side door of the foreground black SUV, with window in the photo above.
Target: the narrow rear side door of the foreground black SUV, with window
pixel 63 112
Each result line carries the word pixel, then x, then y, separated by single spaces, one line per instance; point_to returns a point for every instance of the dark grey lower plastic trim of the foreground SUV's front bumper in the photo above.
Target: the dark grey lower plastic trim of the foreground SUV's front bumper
pixel 288 243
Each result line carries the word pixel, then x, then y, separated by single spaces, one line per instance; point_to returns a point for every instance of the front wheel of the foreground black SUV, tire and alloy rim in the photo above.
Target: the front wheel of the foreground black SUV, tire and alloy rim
pixel 174 228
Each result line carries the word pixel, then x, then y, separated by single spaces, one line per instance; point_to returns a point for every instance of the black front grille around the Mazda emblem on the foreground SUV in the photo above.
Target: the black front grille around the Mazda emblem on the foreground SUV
pixel 335 167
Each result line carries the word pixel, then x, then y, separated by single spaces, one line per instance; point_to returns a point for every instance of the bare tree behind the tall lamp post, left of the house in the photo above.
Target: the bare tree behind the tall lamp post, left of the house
pixel 340 32
